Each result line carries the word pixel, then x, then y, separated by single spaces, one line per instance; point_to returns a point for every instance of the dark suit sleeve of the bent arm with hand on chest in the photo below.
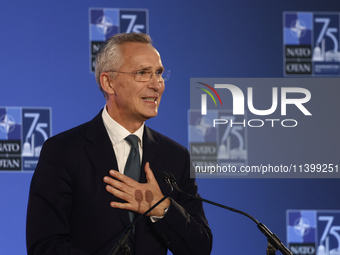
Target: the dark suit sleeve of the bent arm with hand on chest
pixel 184 227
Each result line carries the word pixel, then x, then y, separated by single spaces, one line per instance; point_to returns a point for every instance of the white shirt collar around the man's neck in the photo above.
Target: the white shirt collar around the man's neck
pixel 116 131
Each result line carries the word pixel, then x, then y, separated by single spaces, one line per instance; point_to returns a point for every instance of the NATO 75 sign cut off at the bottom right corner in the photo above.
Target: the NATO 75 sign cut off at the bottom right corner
pixel 313 232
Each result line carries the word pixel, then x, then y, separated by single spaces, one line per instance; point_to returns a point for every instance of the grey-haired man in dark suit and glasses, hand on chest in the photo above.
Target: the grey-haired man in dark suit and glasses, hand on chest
pixel 81 198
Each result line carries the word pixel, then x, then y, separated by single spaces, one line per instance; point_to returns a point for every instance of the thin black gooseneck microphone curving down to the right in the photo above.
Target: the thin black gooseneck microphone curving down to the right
pixel 274 242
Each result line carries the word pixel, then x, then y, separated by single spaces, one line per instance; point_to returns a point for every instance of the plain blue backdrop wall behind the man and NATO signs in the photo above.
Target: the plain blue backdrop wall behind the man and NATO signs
pixel 45 63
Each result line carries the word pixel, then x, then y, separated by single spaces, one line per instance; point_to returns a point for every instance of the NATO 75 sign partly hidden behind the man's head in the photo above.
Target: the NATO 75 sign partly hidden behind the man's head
pixel 106 22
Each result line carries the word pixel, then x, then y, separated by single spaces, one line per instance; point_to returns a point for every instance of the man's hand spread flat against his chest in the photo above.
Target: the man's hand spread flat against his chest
pixel 139 197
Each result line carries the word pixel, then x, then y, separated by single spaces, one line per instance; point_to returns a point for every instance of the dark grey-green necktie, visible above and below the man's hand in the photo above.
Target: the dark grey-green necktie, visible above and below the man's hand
pixel 132 166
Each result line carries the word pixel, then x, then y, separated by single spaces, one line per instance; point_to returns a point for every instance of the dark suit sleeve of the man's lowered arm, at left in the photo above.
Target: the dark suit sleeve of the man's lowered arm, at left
pixel 48 228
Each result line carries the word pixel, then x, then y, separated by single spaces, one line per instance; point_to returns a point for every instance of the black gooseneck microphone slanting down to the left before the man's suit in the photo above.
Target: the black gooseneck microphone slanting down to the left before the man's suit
pixel 121 243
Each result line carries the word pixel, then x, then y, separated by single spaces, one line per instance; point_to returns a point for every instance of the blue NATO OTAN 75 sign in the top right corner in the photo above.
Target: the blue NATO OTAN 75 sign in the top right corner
pixel 311 43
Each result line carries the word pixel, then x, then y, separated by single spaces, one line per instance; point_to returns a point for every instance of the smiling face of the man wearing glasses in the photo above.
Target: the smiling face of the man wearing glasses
pixel 137 101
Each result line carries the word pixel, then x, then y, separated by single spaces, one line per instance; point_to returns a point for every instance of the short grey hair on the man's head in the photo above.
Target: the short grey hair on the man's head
pixel 109 56
